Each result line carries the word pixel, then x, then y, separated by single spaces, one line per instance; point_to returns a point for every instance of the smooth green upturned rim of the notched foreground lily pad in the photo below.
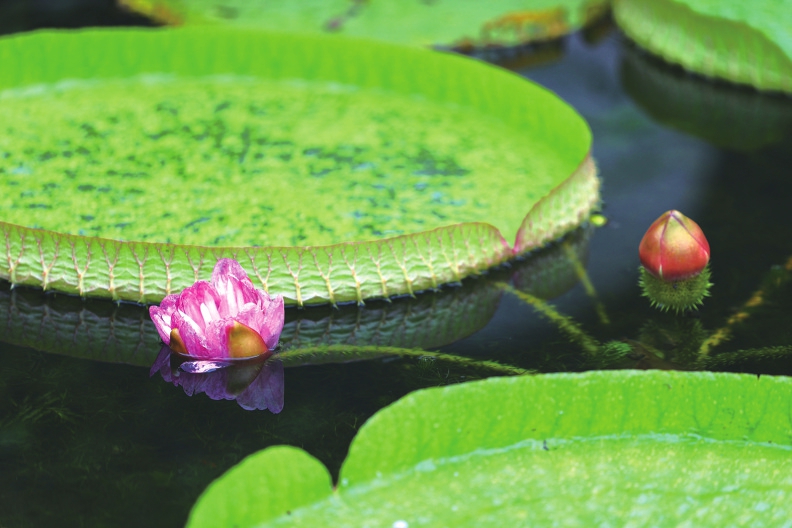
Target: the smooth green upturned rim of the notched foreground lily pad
pixel 436 427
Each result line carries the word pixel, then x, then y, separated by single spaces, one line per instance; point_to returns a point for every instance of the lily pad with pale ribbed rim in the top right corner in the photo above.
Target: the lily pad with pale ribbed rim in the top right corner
pixel 742 42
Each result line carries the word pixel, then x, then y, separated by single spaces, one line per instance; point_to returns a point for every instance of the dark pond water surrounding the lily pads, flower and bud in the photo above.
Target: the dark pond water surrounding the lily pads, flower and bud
pixel 87 438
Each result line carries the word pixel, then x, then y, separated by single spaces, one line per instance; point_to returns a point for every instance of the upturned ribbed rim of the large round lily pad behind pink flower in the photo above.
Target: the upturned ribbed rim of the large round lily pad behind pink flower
pixel 146 272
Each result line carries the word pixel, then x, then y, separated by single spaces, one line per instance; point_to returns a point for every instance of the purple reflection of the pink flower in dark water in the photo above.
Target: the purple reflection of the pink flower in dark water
pixel 255 384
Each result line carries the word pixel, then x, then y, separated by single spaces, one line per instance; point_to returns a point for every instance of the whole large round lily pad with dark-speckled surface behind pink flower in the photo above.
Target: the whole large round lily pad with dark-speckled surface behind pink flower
pixel 334 170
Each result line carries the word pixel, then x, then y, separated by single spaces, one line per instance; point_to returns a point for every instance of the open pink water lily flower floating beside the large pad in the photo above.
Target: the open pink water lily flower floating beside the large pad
pixel 225 318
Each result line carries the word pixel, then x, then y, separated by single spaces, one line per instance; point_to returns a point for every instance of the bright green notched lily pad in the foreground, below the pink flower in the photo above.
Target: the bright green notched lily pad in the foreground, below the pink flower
pixel 655 448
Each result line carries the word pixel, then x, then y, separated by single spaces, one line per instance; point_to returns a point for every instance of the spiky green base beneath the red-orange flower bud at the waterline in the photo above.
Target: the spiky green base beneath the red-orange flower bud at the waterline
pixel 677 295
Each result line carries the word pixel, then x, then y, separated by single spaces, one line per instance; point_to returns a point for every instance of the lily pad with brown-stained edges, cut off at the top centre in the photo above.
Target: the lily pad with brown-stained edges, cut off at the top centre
pixel 459 23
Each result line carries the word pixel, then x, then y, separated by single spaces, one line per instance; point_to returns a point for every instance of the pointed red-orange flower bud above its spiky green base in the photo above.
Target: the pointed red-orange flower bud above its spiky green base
pixel 674 248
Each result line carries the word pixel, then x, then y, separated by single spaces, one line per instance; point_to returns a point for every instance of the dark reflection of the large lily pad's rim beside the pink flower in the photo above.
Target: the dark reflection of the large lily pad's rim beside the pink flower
pixel 124 333
